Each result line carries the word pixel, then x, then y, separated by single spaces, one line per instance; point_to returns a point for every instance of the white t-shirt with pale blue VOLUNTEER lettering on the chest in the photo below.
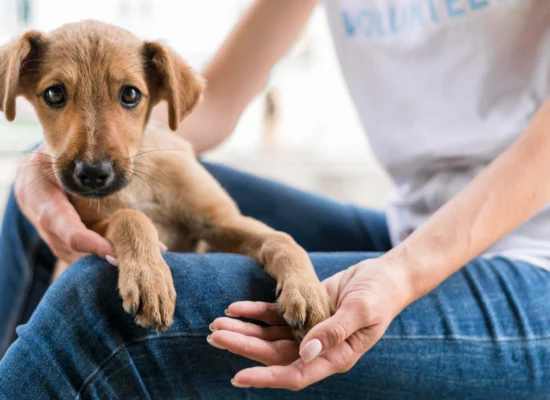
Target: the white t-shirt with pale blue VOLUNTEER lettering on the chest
pixel 442 88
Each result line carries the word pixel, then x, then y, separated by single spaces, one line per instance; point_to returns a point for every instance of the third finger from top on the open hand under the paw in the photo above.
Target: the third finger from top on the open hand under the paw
pixel 281 352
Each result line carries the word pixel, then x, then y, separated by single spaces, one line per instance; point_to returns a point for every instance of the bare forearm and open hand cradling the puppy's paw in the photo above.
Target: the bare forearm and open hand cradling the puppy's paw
pixel 369 295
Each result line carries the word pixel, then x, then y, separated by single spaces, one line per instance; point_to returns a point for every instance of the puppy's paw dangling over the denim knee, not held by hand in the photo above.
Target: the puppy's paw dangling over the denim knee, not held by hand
pixel 148 293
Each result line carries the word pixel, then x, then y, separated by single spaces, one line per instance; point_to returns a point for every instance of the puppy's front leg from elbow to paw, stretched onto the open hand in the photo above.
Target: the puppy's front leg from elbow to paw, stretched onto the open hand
pixel 304 301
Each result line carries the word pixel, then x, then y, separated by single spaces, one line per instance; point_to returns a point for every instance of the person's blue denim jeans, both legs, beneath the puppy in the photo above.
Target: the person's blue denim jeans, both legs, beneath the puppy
pixel 483 333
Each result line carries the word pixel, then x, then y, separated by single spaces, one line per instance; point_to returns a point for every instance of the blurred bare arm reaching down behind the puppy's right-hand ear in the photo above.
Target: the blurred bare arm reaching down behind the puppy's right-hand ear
pixel 239 70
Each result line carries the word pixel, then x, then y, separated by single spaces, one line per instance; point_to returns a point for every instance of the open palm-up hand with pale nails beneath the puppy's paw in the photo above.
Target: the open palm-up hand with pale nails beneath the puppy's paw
pixel 367 297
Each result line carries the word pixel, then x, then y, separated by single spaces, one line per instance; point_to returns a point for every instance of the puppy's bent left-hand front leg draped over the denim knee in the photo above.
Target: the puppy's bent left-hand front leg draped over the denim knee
pixel 145 282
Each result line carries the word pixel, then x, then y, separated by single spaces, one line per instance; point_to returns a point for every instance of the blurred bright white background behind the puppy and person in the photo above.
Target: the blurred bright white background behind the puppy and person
pixel 302 130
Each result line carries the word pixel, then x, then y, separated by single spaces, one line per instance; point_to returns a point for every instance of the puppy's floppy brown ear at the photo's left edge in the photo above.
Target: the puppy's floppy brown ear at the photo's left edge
pixel 16 59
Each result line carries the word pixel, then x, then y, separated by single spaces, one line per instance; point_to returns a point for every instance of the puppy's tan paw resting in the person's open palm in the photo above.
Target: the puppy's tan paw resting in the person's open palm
pixel 303 304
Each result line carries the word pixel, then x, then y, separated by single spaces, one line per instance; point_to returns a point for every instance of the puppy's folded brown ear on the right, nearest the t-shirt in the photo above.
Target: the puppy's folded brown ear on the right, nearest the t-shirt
pixel 171 79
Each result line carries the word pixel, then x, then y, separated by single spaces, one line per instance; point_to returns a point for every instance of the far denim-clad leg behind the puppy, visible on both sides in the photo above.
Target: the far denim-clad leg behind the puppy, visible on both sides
pixel 317 223
